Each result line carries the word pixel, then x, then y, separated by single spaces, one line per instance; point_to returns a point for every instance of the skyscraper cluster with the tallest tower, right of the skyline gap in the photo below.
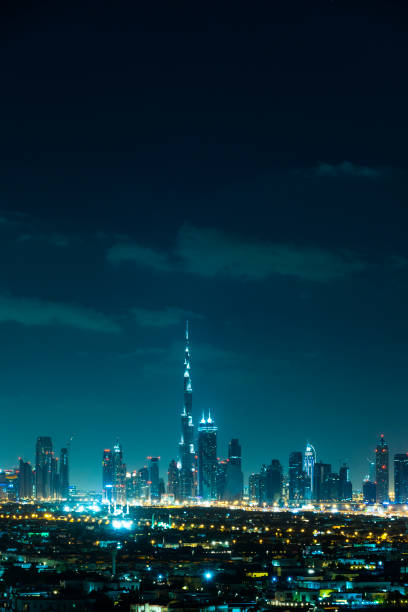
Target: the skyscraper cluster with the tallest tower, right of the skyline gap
pixel 200 475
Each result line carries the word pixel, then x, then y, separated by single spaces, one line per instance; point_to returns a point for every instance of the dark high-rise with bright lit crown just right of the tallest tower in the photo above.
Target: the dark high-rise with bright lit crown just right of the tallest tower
pixel 207 459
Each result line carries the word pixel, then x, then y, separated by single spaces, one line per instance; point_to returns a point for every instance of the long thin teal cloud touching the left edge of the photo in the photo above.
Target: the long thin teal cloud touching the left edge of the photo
pixel 33 311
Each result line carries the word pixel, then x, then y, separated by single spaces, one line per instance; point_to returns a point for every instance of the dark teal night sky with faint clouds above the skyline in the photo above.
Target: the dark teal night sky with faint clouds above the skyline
pixel 242 166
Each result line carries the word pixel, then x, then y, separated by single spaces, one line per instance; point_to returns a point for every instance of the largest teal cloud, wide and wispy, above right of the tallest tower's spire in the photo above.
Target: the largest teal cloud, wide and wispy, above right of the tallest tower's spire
pixel 212 252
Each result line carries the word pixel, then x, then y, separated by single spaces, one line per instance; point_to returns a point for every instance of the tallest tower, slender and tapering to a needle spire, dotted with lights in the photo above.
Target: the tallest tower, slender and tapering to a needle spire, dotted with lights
pixel 186 446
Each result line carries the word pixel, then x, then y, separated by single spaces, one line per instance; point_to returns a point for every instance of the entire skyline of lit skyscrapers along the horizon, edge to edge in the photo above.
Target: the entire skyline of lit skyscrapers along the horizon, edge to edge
pixel 200 475
